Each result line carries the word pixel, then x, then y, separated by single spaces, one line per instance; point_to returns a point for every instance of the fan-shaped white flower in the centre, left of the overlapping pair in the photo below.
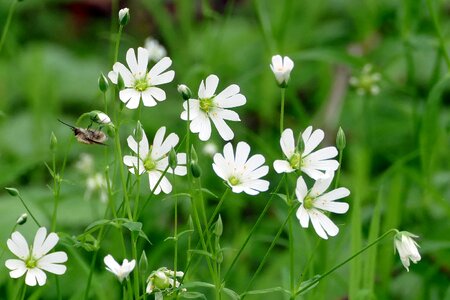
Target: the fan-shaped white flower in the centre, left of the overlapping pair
pixel 241 172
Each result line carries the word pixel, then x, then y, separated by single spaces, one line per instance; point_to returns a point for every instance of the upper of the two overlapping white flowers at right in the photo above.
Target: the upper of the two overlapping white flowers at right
pixel 309 162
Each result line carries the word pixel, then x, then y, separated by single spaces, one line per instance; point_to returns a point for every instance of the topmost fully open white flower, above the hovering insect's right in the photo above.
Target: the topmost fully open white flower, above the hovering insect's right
pixel 140 84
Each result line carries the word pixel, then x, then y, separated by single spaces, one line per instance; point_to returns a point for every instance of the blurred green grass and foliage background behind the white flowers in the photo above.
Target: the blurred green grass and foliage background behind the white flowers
pixel 396 164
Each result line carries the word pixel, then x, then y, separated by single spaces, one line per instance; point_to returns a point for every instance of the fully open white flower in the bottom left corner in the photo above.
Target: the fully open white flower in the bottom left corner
pixel 34 260
